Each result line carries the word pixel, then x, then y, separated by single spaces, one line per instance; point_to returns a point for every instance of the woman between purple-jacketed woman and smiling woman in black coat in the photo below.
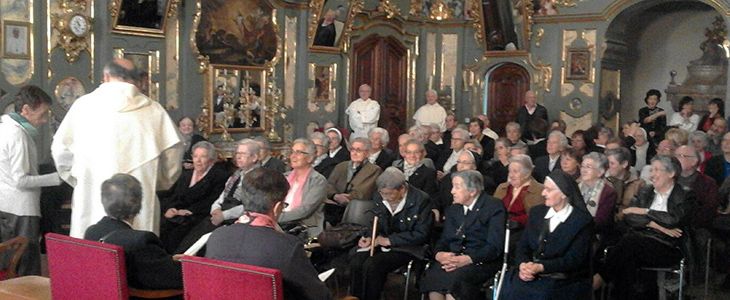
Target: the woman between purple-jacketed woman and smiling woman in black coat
pixel 623 180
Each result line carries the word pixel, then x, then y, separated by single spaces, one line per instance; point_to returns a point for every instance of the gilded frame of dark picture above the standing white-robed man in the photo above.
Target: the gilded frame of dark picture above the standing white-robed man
pixel 120 24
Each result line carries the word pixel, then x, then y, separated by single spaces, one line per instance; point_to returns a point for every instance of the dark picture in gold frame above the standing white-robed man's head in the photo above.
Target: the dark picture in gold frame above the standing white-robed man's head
pixel 142 17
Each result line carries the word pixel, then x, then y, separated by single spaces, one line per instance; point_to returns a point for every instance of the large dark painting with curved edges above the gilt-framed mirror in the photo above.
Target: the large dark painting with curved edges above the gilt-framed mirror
pixel 237 32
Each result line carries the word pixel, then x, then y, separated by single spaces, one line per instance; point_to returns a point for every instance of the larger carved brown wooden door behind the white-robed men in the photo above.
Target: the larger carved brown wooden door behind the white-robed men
pixel 382 62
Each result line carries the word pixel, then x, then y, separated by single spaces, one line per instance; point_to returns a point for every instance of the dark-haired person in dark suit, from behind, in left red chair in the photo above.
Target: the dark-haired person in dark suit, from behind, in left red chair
pixel 149 266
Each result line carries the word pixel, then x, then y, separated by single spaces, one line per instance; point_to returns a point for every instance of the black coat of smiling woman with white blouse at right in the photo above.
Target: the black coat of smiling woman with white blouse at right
pixel 679 208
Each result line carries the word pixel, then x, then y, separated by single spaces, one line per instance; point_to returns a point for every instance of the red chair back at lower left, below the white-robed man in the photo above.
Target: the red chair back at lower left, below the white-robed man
pixel 81 269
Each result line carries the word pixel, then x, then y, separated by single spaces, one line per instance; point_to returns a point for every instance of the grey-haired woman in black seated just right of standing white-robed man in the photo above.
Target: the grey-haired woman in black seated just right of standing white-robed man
pixel 188 202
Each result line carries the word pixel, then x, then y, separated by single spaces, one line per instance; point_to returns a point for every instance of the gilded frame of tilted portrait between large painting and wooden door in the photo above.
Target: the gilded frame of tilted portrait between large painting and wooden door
pixel 318 10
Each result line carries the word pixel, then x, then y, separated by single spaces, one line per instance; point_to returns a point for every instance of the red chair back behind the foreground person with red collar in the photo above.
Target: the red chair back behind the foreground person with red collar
pixel 205 278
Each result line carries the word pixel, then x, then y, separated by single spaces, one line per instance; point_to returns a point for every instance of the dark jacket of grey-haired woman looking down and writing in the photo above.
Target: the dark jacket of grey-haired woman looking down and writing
pixel 409 229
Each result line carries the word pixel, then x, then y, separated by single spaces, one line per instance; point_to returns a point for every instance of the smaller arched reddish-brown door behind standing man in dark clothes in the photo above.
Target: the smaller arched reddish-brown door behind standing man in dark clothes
pixel 507 85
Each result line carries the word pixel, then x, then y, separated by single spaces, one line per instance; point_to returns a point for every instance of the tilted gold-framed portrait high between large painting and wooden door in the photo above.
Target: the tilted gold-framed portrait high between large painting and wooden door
pixel 331 23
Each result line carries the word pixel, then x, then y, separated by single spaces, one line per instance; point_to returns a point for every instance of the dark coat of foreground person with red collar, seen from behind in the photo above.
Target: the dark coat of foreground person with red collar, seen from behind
pixel 265 247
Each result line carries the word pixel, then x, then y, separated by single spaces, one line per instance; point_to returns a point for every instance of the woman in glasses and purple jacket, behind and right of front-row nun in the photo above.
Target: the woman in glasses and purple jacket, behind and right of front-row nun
pixel 599 195
